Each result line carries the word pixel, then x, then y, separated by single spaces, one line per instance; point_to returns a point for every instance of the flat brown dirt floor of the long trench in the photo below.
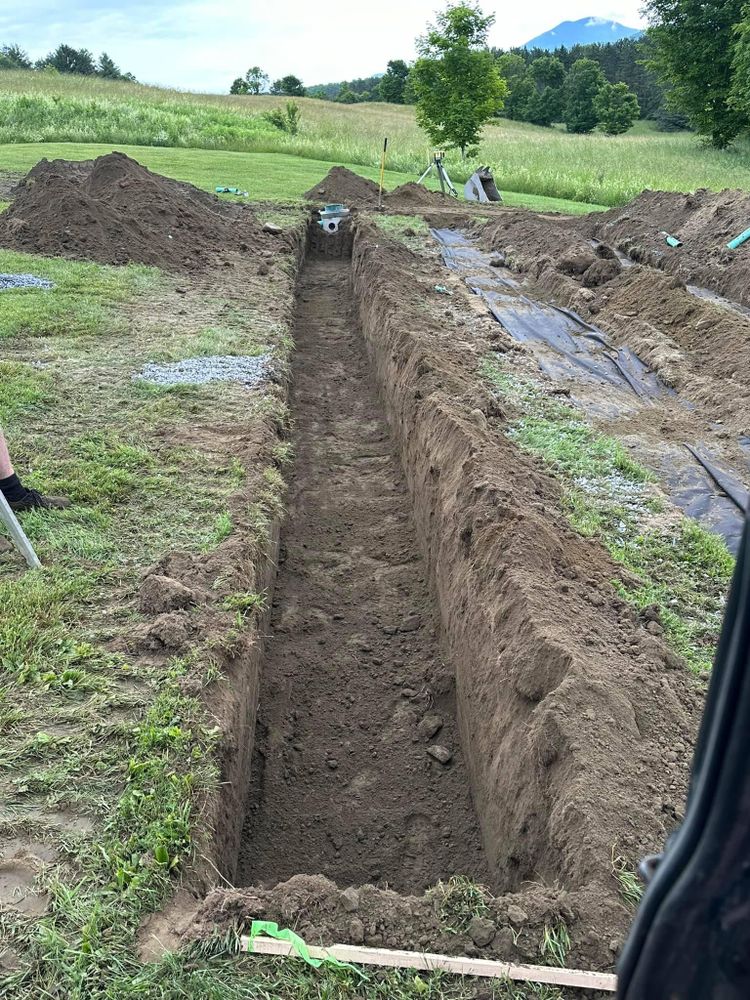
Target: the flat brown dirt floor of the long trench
pixel 343 783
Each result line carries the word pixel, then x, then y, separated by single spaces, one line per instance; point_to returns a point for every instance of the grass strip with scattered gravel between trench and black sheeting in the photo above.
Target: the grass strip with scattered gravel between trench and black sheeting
pixel 683 570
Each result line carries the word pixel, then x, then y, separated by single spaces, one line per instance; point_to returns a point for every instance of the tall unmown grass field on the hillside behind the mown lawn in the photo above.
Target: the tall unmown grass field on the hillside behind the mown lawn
pixel 596 169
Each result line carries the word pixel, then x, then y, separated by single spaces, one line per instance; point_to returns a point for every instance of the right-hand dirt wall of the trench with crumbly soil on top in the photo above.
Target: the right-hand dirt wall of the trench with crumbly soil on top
pixel 564 707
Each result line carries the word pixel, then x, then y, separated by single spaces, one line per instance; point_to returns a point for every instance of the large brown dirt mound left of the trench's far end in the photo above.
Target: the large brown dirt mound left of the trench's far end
pixel 114 211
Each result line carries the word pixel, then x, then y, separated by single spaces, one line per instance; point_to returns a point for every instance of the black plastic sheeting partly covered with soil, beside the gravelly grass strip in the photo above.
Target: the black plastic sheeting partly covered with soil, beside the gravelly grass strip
pixel 569 348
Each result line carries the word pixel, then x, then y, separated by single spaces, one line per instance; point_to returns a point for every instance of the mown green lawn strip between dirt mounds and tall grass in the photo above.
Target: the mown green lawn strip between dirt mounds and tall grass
pixel 266 176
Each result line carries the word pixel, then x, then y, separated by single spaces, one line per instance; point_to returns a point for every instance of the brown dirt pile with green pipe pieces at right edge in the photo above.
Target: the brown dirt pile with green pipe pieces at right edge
pixel 704 221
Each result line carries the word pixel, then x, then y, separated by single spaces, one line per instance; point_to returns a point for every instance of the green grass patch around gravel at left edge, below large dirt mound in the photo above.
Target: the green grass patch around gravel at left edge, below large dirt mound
pixel 81 302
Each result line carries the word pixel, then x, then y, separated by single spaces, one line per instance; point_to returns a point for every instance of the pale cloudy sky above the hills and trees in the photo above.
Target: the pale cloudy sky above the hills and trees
pixel 202 46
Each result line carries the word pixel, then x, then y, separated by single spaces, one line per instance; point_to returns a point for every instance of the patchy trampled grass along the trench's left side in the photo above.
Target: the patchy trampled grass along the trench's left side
pixel 107 738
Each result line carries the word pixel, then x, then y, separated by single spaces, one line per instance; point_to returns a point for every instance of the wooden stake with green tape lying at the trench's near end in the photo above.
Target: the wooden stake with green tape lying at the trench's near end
pixel 428 962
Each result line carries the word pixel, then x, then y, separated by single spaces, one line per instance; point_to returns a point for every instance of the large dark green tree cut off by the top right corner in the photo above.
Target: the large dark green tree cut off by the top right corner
pixel 694 44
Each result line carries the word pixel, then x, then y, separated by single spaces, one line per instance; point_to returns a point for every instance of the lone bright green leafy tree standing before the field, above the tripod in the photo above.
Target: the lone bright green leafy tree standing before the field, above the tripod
pixel 456 81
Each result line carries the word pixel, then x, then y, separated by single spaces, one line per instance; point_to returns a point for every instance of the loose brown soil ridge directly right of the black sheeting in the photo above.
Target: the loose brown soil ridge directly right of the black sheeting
pixel 698 346
